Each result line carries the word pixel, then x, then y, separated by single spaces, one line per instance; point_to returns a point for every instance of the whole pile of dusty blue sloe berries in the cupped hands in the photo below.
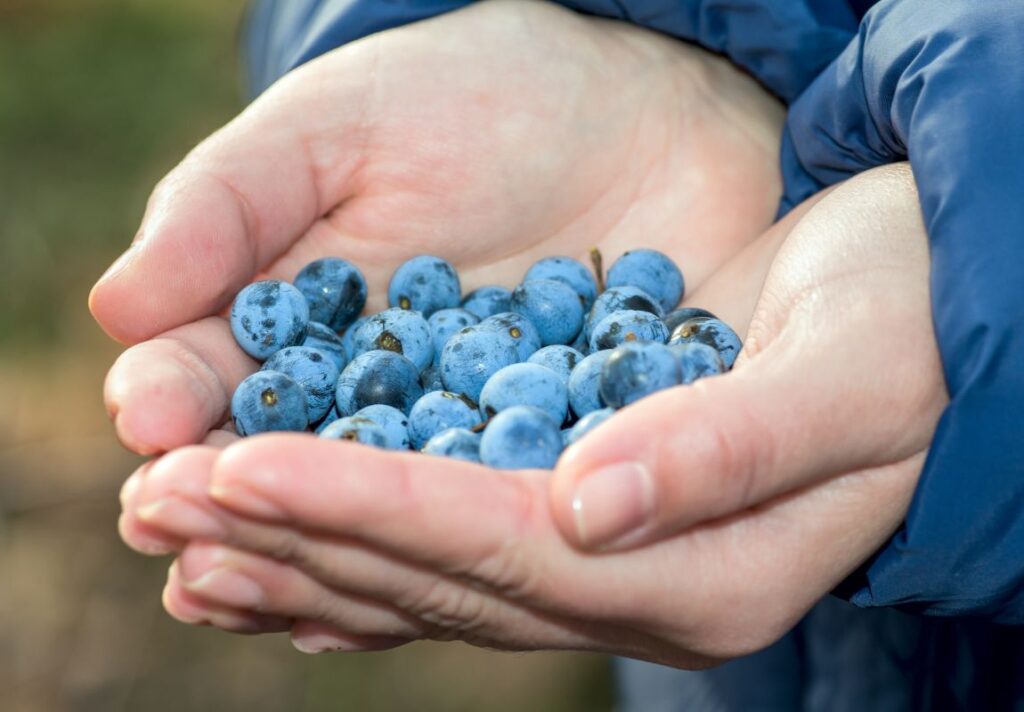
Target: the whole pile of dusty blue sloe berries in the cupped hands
pixel 492 378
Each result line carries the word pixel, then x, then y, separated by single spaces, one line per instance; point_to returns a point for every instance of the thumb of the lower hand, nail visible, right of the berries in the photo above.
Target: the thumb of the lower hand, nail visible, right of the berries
pixel 778 424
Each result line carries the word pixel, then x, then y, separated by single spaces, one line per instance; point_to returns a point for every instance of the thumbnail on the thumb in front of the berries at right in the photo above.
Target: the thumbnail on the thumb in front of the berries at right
pixel 613 502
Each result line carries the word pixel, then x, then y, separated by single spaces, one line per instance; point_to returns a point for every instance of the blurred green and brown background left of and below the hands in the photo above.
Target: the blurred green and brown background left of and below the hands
pixel 99 99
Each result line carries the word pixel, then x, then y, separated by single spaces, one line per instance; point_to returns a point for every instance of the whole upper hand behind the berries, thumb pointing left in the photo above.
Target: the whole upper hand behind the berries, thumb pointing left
pixel 491 137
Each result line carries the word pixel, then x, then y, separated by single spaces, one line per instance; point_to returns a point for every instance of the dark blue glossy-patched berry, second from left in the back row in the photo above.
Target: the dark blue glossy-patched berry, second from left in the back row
pixel 334 289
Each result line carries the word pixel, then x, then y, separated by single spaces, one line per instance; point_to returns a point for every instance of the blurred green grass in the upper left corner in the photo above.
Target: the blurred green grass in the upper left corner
pixel 98 100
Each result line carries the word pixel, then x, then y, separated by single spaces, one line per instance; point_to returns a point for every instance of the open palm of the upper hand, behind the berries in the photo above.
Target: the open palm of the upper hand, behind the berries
pixel 530 132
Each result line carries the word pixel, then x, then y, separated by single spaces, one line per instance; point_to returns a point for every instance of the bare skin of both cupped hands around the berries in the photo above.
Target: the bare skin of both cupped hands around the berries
pixel 286 532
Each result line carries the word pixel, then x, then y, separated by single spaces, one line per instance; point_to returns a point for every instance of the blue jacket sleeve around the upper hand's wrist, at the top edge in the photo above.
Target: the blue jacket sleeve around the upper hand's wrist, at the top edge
pixel 784 45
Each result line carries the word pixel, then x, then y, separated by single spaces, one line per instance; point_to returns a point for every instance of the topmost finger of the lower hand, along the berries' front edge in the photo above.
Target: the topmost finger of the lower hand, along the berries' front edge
pixel 401 501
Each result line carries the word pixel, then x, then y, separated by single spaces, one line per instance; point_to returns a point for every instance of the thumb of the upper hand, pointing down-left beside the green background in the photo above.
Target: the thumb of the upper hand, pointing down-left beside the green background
pixel 236 203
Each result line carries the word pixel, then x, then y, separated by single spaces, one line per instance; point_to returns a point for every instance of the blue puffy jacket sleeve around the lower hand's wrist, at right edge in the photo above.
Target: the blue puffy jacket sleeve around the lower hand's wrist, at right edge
pixel 943 83
